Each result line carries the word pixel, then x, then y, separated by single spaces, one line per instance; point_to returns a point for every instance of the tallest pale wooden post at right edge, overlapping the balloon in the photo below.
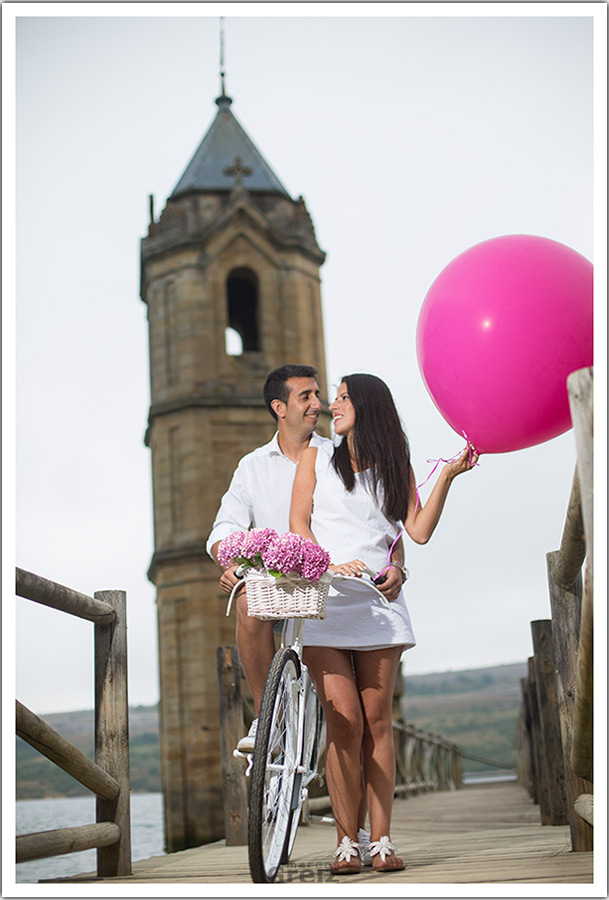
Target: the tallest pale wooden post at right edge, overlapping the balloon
pixel 580 386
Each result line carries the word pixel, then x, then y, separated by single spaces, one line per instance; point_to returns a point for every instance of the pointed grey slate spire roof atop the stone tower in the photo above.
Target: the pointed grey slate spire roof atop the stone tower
pixel 225 142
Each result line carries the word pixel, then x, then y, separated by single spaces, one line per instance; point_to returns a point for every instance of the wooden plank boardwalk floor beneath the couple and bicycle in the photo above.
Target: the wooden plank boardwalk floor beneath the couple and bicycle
pixel 479 835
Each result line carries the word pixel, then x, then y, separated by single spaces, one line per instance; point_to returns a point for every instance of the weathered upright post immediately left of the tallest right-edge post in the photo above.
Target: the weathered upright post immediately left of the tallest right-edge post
pixel 566 614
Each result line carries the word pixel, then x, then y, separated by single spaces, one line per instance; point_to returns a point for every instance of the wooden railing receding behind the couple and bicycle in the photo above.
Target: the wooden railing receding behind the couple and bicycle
pixel 424 761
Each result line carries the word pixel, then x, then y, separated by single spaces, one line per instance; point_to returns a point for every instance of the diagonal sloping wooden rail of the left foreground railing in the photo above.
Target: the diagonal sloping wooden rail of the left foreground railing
pixel 46 740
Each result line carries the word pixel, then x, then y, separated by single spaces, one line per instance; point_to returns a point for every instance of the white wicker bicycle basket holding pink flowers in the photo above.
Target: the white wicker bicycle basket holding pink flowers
pixel 285 597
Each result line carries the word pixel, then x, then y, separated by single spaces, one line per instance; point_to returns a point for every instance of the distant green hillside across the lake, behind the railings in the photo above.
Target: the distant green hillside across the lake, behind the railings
pixel 476 708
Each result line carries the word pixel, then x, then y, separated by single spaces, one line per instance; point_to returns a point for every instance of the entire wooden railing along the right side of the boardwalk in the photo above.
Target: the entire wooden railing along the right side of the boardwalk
pixel 554 734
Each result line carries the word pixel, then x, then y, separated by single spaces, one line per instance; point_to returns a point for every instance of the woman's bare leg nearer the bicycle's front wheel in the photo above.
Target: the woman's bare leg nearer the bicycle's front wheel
pixel 332 674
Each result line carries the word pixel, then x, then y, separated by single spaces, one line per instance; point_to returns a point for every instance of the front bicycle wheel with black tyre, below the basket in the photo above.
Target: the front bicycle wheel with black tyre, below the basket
pixel 276 758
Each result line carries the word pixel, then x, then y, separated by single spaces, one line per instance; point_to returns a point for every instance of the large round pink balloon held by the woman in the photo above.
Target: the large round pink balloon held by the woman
pixel 500 329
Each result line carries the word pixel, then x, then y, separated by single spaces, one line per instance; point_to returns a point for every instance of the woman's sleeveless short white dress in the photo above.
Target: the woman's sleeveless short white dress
pixel 350 525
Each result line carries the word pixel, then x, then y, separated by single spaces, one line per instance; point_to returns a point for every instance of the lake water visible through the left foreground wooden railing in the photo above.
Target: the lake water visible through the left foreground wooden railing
pixel 63 812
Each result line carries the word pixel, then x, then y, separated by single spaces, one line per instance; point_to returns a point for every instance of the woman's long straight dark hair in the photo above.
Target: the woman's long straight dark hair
pixel 379 443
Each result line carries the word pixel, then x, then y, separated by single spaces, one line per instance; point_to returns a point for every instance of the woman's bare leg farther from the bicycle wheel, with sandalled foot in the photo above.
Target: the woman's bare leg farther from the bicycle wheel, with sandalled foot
pixel 376 672
